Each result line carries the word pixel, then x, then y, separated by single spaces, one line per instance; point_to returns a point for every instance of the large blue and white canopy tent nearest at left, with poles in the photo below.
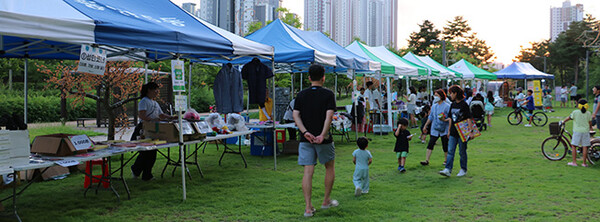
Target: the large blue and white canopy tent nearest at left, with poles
pixel 143 30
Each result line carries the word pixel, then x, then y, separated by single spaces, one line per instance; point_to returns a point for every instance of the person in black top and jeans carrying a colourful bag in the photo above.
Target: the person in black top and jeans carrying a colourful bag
pixel 459 111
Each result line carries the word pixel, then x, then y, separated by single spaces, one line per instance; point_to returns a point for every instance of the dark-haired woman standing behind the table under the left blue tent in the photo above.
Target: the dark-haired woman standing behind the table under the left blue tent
pixel 148 111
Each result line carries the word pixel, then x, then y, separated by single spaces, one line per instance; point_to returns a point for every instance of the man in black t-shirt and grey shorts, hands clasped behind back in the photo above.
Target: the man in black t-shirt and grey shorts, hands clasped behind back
pixel 313 112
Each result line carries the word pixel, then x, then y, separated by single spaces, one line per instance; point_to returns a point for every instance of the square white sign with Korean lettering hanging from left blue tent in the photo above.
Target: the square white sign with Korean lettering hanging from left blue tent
pixel 92 60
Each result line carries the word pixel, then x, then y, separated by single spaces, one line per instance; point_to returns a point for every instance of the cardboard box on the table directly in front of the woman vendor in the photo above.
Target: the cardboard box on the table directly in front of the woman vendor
pixel 170 131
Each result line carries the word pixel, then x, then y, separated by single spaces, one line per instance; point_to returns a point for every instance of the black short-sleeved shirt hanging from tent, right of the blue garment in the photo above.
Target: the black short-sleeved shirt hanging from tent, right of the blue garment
pixel 256 73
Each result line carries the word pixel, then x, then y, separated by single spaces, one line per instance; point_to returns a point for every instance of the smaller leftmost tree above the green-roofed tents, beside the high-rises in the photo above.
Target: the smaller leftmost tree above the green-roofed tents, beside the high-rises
pixel 421 41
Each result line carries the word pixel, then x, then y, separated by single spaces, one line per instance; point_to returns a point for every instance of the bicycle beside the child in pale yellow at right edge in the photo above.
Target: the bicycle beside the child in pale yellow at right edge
pixel 557 146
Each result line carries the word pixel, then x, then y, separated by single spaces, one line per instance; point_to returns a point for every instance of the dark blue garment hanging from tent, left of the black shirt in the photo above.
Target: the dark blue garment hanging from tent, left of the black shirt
pixel 228 90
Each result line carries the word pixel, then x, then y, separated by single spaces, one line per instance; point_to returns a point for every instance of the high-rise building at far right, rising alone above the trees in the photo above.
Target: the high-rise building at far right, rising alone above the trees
pixel 561 18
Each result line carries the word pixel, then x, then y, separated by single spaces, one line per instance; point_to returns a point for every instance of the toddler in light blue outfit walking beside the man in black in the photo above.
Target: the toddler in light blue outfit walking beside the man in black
pixel 362 158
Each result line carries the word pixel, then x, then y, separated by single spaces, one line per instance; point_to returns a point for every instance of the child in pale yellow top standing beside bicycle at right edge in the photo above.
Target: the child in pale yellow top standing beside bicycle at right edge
pixel 581 136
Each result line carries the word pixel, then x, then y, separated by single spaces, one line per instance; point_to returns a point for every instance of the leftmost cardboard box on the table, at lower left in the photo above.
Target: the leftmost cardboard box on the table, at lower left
pixel 55 145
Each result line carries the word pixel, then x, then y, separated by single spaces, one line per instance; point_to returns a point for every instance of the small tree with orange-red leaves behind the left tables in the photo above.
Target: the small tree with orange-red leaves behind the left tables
pixel 115 88
